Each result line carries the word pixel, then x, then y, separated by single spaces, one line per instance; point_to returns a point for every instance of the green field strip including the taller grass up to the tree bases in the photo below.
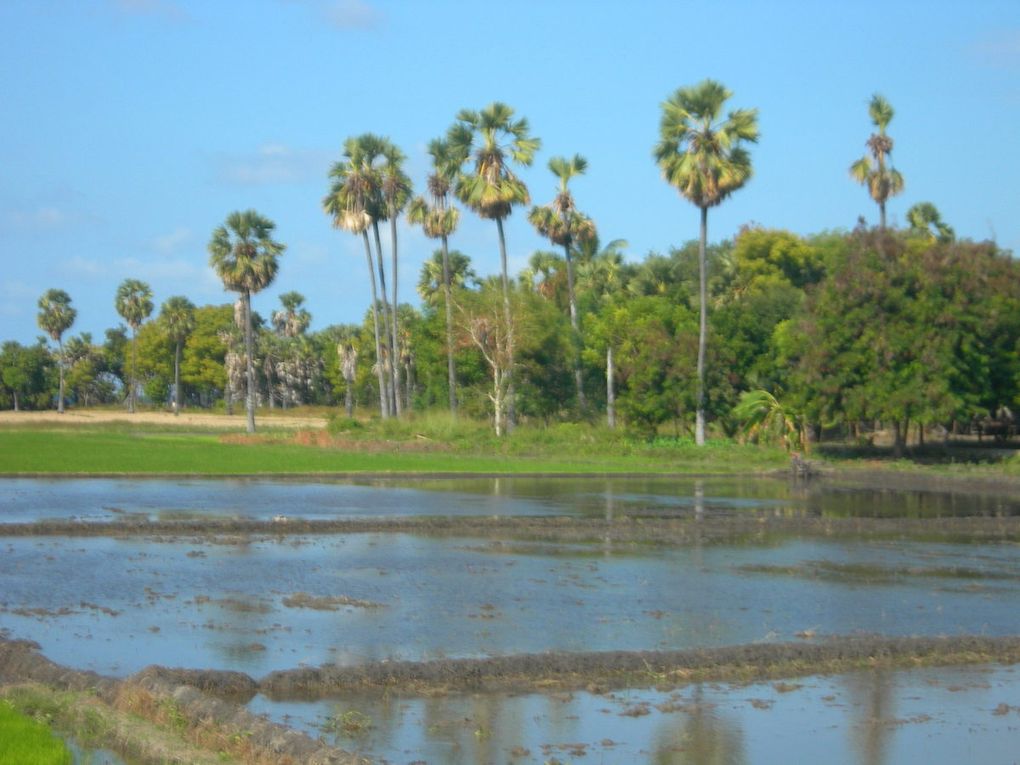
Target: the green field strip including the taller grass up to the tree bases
pixel 417 447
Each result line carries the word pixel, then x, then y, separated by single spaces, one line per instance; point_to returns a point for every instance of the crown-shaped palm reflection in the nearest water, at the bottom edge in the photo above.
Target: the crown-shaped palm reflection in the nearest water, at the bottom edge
pixel 703 737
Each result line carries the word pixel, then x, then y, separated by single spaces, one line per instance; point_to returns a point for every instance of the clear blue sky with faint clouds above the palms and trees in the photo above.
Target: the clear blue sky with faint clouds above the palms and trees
pixel 132 128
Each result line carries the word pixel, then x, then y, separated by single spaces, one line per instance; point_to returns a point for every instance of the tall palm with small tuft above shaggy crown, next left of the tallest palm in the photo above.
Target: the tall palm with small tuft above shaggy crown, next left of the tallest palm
pixel 562 224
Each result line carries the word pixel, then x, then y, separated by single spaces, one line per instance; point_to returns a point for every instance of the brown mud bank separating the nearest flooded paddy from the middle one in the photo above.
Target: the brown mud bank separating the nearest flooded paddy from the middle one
pixel 563 672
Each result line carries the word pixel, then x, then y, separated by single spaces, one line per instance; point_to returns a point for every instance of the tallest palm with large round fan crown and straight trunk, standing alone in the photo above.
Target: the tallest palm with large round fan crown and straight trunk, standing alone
pixel 701 156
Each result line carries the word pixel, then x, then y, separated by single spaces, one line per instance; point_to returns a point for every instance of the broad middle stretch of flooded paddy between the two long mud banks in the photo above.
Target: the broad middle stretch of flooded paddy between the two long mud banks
pixel 191 603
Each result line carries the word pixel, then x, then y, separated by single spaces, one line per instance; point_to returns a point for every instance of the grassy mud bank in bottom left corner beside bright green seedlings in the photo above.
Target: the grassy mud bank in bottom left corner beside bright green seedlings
pixel 176 703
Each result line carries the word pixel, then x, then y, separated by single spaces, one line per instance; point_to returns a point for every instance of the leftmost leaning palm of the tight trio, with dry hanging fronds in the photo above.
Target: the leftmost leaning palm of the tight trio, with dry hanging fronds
pixel 351 203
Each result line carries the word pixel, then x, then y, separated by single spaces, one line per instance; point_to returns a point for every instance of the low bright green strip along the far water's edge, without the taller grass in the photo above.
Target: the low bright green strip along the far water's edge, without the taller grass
pixel 28 451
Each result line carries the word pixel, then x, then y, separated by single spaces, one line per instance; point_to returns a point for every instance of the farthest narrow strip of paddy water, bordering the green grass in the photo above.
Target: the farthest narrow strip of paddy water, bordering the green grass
pixel 104 500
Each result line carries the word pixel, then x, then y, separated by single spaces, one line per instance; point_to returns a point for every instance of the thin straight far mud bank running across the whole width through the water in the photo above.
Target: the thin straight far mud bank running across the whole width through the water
pixel 634 530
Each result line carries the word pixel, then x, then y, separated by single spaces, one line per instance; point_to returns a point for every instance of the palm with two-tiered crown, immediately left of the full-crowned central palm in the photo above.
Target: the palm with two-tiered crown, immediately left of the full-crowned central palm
pixel 438 220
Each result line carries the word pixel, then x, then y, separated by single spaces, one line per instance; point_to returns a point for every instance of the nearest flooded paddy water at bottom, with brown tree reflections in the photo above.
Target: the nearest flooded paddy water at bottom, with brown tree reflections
pixel 936 717
